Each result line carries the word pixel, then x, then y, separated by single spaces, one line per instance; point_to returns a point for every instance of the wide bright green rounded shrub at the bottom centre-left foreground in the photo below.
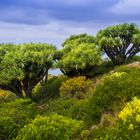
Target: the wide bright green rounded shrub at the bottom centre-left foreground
pixel 54 127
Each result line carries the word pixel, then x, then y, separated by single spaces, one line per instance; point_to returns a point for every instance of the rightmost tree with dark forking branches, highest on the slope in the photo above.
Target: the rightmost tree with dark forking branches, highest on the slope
pixel 120 42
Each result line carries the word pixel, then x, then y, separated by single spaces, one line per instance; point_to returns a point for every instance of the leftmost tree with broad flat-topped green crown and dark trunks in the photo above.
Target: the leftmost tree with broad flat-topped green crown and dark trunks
pixel 24 66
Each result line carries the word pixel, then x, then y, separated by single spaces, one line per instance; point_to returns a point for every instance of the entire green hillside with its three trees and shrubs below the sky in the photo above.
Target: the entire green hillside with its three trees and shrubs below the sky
pixel 93 98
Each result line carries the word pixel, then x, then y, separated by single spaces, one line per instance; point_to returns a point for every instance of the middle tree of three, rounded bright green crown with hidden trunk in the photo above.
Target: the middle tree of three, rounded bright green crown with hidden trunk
pixel 79 55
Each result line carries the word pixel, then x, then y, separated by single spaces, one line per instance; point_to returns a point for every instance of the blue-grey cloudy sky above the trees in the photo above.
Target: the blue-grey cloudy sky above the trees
pixel 52 21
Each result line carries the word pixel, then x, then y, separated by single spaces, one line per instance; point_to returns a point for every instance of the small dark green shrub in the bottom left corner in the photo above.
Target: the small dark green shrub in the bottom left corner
pixel 8 128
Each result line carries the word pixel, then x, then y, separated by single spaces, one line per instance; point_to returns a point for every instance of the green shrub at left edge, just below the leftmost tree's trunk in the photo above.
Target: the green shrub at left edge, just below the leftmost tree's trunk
pixel 20 110
